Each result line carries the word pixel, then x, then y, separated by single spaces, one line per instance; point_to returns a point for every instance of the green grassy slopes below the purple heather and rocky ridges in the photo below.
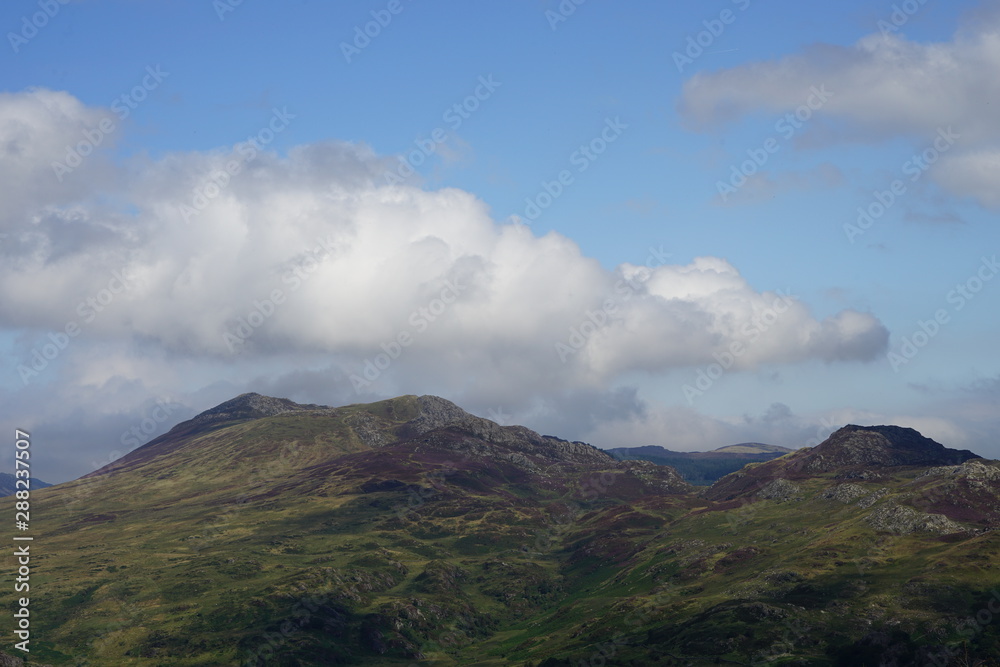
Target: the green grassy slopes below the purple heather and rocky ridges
pixel 196 556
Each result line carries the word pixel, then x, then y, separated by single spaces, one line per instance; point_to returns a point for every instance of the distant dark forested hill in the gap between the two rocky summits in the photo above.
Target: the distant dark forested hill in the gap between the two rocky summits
pixel 703 468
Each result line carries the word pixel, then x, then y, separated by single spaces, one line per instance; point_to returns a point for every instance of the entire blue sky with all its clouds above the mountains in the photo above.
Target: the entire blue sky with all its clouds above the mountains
pixel 632 223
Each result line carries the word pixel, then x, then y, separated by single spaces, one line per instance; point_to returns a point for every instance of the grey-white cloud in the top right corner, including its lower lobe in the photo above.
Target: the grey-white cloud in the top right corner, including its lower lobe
pixel 881 87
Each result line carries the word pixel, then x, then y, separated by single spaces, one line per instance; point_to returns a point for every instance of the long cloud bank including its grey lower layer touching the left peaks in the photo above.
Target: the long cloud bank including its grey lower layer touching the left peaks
pixel 305 270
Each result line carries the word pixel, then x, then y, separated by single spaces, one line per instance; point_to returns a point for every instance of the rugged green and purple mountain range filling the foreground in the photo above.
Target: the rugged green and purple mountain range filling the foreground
pixel 267 532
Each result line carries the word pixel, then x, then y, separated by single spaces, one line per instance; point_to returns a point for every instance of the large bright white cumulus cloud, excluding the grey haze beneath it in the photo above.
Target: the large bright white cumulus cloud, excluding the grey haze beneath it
pixel 307 252
